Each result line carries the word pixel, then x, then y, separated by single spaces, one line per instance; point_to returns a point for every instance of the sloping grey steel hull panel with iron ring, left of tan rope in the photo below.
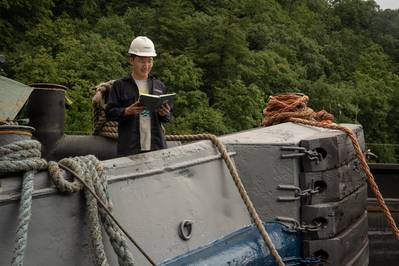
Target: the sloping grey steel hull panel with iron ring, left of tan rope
pixel 151 193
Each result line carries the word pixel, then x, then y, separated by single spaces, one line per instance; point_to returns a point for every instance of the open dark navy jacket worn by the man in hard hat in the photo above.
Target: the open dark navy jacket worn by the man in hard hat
pixel 124 92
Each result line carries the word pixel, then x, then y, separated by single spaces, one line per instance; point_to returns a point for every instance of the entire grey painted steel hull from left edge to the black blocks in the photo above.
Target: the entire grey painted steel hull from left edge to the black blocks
pixel 153 192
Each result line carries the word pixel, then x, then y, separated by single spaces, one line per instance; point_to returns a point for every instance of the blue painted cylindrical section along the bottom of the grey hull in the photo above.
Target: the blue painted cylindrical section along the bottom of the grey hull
pixel 245 247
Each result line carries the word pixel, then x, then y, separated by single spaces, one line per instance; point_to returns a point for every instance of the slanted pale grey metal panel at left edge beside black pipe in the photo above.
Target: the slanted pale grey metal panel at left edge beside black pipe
pixel 13 97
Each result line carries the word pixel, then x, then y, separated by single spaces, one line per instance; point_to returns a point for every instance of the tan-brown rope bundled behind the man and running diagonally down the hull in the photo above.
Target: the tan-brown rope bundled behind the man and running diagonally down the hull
pixel 111 131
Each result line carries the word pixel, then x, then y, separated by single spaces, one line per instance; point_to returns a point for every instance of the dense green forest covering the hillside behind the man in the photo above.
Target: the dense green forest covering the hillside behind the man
pixel 223 58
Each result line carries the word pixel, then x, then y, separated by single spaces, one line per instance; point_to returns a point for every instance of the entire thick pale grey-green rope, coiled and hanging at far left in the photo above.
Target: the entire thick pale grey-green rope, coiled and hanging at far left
pixel 24 156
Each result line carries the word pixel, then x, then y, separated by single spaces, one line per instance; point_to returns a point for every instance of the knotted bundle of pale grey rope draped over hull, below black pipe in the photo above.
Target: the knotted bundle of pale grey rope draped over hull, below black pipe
pixel 89 168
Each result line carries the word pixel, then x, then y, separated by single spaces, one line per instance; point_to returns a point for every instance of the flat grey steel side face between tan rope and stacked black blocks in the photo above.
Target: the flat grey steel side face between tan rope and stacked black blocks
pixel 261 172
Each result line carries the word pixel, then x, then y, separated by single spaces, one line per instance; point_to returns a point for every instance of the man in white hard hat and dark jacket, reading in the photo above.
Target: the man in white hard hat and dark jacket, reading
pixel 139 129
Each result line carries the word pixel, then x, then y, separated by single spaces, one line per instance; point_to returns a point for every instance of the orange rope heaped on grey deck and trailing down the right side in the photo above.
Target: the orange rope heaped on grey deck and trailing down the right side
pixel 292 107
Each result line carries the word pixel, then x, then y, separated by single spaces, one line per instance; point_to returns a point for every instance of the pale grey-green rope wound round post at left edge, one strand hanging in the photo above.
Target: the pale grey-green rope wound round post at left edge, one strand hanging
pixel 18 157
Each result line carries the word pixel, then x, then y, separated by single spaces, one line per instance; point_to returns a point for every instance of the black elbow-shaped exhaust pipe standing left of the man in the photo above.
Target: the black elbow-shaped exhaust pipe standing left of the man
pixel 46 111
